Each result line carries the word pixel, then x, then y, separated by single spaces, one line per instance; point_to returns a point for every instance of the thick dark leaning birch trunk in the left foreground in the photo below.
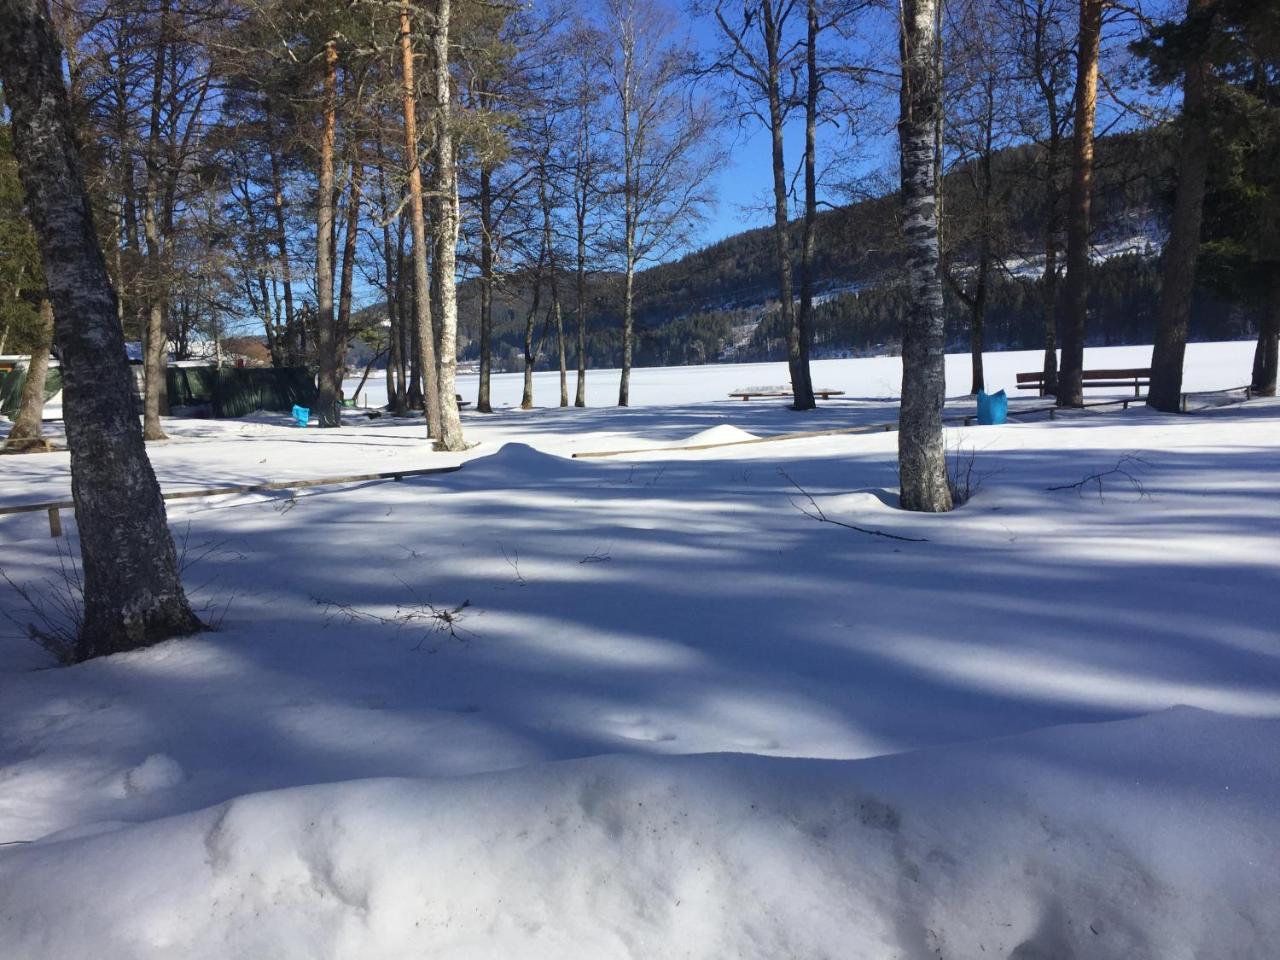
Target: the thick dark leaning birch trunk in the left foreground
pixel 134 595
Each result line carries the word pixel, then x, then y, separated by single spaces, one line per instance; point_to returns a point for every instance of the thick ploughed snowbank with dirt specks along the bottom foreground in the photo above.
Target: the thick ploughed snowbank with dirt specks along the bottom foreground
pixel 1155 838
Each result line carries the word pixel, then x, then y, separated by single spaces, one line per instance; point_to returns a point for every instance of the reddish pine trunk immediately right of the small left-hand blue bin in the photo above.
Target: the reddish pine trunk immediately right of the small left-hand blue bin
pixel 328 412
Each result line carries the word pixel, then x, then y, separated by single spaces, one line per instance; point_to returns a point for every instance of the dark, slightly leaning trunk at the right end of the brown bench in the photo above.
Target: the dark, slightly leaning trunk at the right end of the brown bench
pixel 1178 277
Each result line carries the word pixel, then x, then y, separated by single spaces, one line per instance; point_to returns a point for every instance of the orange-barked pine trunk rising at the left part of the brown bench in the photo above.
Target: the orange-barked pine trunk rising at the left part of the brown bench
pixel 1071 391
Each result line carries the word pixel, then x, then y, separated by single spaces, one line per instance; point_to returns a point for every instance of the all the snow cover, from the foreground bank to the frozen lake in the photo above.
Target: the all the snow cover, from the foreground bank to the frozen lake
pixel 679 717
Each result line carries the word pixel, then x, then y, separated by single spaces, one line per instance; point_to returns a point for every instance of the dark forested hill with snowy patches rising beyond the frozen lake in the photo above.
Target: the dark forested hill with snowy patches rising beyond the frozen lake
pixel 716 304
